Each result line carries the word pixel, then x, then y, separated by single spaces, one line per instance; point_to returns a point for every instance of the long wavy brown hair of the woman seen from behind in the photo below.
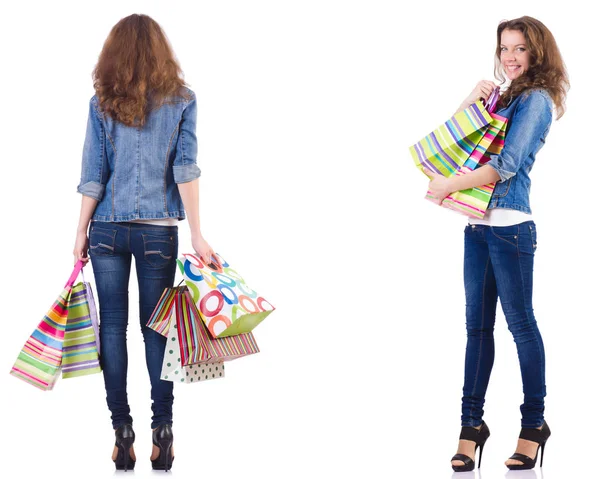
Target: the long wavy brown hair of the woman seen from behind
pixel 136 69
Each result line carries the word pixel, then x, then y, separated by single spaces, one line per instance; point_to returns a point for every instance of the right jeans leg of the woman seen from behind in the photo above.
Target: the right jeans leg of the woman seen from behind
pixel 155 250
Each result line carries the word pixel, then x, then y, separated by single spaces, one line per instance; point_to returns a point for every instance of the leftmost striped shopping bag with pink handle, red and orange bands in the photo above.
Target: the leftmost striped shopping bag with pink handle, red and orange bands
pixel 40 358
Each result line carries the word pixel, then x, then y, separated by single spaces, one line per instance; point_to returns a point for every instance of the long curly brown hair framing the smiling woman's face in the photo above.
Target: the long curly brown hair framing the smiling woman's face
pixel 546 67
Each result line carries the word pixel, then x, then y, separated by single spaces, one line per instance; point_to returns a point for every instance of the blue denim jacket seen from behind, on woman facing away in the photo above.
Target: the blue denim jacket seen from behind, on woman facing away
pixel 133 171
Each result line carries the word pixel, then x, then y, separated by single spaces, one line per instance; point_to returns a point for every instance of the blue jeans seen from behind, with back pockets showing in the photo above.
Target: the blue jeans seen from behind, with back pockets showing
pixel 111 246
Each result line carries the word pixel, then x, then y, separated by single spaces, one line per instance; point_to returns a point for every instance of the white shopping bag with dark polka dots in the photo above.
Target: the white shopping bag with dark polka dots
pixel 173 370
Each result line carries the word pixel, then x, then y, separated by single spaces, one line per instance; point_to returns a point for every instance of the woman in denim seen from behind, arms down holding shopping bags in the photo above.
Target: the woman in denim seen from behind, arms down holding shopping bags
pixel 139 177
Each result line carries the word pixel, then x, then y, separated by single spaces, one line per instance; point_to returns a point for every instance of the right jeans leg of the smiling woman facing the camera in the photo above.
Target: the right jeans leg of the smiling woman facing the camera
pixel 512 250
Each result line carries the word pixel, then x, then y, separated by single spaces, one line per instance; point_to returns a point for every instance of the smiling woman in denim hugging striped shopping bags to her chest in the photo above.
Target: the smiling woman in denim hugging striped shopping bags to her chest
pixel 500 248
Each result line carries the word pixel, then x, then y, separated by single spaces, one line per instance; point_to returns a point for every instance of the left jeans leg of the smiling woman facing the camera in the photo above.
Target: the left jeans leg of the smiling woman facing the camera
pixel 481 299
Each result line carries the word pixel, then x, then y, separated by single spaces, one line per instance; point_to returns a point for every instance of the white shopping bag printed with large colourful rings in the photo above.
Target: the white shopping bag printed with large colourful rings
pixel 226 304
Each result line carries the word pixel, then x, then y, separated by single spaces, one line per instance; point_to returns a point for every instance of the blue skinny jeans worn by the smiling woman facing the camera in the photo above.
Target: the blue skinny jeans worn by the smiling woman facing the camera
pixel 498 262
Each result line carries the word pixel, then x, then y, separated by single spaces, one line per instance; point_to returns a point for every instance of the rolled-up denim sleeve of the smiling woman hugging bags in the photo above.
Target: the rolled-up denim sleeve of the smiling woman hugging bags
pixel 526 131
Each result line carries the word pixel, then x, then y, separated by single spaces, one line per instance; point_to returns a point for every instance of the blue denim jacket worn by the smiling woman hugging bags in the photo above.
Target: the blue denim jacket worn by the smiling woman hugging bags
pixel 529 119
